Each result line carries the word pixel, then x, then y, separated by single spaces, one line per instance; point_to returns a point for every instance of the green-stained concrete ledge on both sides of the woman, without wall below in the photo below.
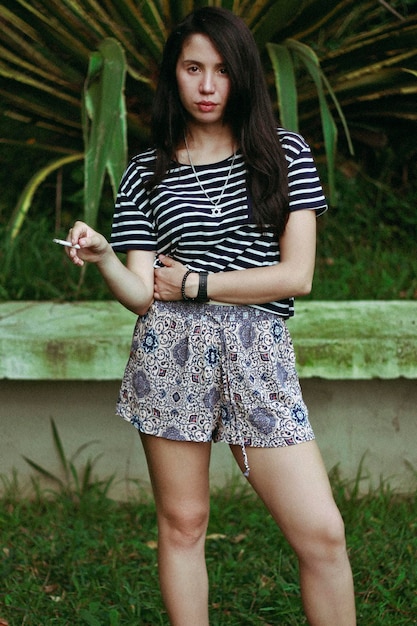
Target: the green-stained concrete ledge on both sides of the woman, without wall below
pixel 355 340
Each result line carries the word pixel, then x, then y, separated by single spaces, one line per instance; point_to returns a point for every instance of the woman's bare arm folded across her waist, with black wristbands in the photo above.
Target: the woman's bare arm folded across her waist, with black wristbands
pixel 293 276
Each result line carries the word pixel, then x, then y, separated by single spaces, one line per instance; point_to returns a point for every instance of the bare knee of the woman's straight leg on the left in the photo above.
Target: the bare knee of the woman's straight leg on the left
pixel 184 526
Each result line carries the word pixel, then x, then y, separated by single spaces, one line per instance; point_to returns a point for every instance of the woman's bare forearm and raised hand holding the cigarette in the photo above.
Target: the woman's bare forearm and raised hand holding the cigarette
pixel 131 284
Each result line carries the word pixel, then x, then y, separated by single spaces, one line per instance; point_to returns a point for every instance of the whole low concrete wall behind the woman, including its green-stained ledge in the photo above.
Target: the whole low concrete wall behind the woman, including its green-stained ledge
pixel 357 363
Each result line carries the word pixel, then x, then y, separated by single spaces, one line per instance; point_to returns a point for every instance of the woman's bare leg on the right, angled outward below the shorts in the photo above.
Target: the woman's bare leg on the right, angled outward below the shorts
pixel 294 485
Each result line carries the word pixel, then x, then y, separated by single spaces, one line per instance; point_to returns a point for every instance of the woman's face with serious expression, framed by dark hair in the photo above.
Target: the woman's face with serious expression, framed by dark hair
pixel 203 81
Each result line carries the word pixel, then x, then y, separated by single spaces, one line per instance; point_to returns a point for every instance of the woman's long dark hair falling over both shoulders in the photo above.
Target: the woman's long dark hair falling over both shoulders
pixel 248 113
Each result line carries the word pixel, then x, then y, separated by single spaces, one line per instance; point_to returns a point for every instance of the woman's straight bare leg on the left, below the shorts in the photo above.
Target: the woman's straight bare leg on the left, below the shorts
pixel 179 476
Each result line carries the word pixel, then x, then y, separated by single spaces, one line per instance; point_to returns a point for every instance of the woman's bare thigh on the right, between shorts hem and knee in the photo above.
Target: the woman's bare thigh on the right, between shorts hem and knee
pixel 293 483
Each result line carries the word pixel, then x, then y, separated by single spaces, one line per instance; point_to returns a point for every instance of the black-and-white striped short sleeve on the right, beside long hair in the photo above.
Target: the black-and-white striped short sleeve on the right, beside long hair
pixel 305 189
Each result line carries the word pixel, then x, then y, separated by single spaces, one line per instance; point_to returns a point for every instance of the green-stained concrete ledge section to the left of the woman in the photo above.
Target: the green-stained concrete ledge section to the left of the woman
pixel 69 341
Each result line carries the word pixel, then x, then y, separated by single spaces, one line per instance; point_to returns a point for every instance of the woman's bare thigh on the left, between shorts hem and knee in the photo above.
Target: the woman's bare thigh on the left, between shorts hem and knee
pixel 179 473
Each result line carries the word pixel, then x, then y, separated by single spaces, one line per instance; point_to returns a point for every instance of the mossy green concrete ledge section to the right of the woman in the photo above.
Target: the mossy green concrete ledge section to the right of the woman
pixel 356 339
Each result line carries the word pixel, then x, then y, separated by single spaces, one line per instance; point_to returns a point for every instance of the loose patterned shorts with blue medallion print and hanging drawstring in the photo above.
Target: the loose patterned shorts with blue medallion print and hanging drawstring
pixel 207 372
